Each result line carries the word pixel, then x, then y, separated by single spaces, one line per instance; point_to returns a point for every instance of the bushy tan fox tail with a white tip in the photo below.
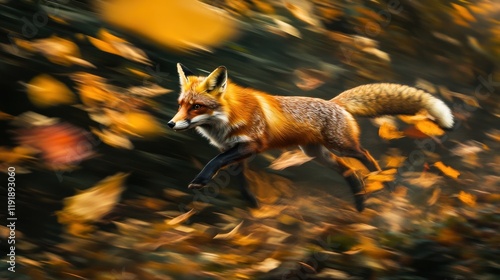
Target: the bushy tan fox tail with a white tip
pixel 374 100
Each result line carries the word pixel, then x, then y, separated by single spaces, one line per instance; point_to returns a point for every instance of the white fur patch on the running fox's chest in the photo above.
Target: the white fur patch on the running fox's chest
pixel 218 134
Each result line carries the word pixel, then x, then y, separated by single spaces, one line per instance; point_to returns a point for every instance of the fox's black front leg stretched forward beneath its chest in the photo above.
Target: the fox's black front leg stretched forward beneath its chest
pixel 236 153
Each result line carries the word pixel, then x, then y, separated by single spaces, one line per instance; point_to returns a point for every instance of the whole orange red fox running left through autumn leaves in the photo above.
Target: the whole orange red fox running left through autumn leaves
pixel 243 121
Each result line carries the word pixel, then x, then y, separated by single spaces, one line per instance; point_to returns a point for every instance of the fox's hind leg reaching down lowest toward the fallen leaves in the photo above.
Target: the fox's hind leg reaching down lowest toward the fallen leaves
pixel 323 156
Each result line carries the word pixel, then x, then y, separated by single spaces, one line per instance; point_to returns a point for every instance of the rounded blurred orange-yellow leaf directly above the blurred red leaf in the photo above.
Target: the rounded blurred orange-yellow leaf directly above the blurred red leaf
pixel 45 91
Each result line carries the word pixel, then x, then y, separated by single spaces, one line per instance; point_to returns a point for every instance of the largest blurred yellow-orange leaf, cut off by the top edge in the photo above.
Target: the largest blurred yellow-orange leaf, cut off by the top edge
pixel 197 25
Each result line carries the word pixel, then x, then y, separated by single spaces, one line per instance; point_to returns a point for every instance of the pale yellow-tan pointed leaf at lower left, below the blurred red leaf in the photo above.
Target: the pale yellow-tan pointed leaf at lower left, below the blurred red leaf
pixel 92 204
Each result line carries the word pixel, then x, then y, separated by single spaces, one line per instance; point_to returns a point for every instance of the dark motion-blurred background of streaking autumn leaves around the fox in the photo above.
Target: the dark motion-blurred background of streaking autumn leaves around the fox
pixel 101 184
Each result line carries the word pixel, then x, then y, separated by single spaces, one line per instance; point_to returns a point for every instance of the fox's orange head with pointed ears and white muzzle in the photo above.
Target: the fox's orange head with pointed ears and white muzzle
pixel 199 99
